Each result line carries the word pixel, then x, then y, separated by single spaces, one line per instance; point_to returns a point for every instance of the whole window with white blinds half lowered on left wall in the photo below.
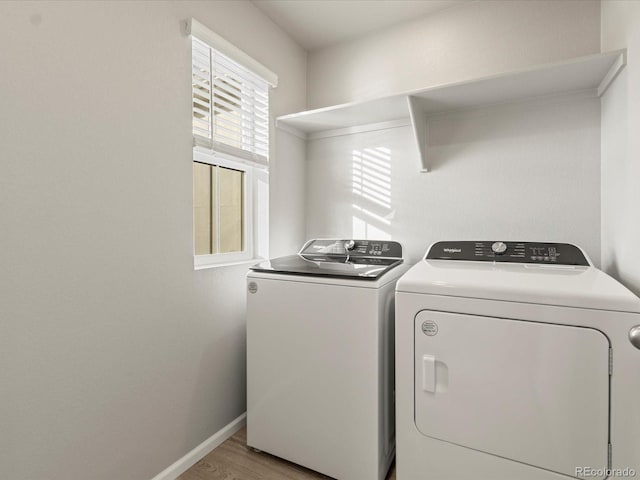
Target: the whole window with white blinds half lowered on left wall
pixel 230 94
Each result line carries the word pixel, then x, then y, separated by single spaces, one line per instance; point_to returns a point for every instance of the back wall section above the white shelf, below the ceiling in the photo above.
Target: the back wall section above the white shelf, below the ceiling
pixel 467 41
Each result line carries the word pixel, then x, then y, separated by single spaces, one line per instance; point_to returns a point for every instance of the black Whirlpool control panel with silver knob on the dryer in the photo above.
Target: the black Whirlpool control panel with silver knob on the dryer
pixel 509 252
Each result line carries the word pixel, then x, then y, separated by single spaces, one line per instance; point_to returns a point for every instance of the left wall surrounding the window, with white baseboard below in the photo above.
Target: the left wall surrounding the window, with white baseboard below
pixel 116 357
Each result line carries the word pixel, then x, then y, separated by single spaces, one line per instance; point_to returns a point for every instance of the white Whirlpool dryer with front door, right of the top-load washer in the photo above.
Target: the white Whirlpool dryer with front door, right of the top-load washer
pixel 515 361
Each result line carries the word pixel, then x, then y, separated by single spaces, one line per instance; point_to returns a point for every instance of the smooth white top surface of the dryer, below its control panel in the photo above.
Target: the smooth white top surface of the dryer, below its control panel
pixel 570 286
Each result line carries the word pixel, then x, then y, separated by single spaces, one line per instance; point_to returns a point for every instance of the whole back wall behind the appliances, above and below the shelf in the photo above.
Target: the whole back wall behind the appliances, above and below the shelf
pixel 529 170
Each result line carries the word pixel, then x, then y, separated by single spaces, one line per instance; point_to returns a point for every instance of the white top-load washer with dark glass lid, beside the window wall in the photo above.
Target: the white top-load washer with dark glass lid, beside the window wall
pixel 320 357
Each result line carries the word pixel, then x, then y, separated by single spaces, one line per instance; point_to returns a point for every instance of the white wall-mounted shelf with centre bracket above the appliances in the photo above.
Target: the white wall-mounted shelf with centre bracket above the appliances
pixel 592 72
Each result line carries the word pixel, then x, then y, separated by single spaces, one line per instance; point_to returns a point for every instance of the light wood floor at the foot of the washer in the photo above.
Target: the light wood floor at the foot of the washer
pixel 233 460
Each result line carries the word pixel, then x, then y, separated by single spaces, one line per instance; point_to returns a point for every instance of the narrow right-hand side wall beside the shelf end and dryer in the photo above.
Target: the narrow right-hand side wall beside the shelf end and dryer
pixel 621 147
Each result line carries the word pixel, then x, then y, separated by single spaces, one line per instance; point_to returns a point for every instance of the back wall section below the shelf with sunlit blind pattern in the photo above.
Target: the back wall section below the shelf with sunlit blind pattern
pixel 528 171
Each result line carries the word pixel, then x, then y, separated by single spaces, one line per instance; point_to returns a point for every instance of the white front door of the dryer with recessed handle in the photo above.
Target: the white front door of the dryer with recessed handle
pixel 535 393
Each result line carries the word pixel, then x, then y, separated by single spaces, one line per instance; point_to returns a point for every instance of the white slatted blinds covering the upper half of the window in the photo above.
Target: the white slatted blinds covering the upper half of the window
pixel 230 105
